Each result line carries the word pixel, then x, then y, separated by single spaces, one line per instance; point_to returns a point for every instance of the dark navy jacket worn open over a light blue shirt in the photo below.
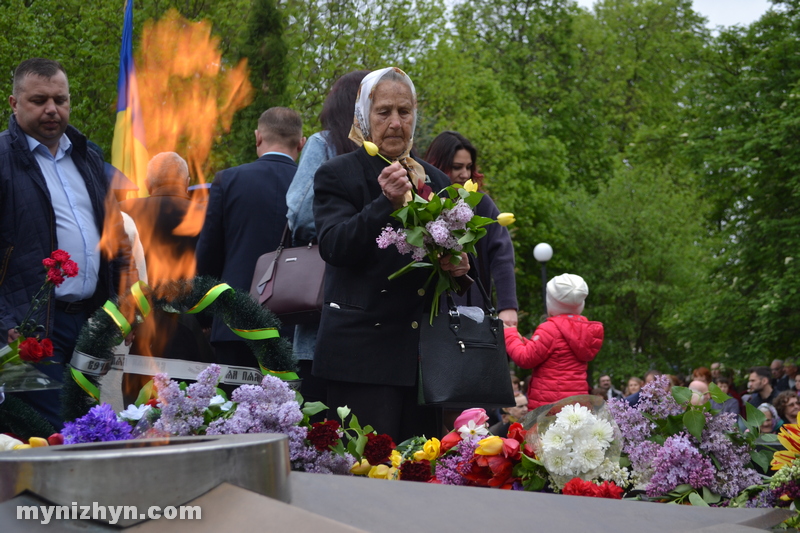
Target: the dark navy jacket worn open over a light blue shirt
pixel 28 226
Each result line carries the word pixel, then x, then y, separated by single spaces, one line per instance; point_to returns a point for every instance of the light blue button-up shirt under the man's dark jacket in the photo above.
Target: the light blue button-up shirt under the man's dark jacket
pixel 76 230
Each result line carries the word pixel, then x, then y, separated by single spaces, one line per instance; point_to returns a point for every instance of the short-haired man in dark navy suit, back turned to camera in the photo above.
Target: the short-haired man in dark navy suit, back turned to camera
pixel 246 216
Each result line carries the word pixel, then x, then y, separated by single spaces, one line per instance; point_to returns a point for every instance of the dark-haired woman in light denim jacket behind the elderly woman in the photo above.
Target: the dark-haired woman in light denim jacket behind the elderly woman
pixel 336 118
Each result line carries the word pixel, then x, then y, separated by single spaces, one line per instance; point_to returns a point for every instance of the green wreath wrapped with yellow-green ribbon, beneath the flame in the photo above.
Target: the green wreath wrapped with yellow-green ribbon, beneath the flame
pixel 104 331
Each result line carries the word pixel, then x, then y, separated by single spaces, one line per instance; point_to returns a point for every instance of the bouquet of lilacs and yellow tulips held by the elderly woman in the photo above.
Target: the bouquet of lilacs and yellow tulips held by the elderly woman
pixel 432 228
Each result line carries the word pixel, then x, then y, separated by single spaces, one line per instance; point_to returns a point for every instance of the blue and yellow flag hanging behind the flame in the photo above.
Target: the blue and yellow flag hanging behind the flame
pixel 128 151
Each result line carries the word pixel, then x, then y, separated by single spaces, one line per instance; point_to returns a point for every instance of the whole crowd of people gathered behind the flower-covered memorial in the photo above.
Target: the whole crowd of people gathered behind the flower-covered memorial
pixel 364 350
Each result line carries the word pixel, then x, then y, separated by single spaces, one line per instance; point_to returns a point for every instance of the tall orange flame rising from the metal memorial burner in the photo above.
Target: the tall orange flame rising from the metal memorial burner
pixel 188 98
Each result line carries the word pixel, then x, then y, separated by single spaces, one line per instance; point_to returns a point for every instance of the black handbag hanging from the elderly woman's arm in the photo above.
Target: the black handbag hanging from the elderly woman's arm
pixel 462 363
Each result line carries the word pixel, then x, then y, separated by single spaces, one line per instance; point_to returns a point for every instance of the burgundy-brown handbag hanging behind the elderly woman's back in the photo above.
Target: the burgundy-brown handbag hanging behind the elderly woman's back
pixel 290 281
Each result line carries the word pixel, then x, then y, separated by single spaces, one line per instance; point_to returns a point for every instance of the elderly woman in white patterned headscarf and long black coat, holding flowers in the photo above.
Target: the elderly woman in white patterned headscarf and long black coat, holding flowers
pixel 367 345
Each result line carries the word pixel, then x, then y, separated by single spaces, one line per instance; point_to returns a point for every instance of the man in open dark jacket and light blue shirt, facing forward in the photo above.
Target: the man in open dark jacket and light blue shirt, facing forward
pixel 52 196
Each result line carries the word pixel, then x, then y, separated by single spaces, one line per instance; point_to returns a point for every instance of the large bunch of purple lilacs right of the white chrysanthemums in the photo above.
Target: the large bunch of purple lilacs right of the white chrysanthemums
pixel 686 453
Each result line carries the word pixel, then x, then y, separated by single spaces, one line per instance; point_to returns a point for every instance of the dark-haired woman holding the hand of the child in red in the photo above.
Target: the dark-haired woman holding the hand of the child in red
pixel 454 155
